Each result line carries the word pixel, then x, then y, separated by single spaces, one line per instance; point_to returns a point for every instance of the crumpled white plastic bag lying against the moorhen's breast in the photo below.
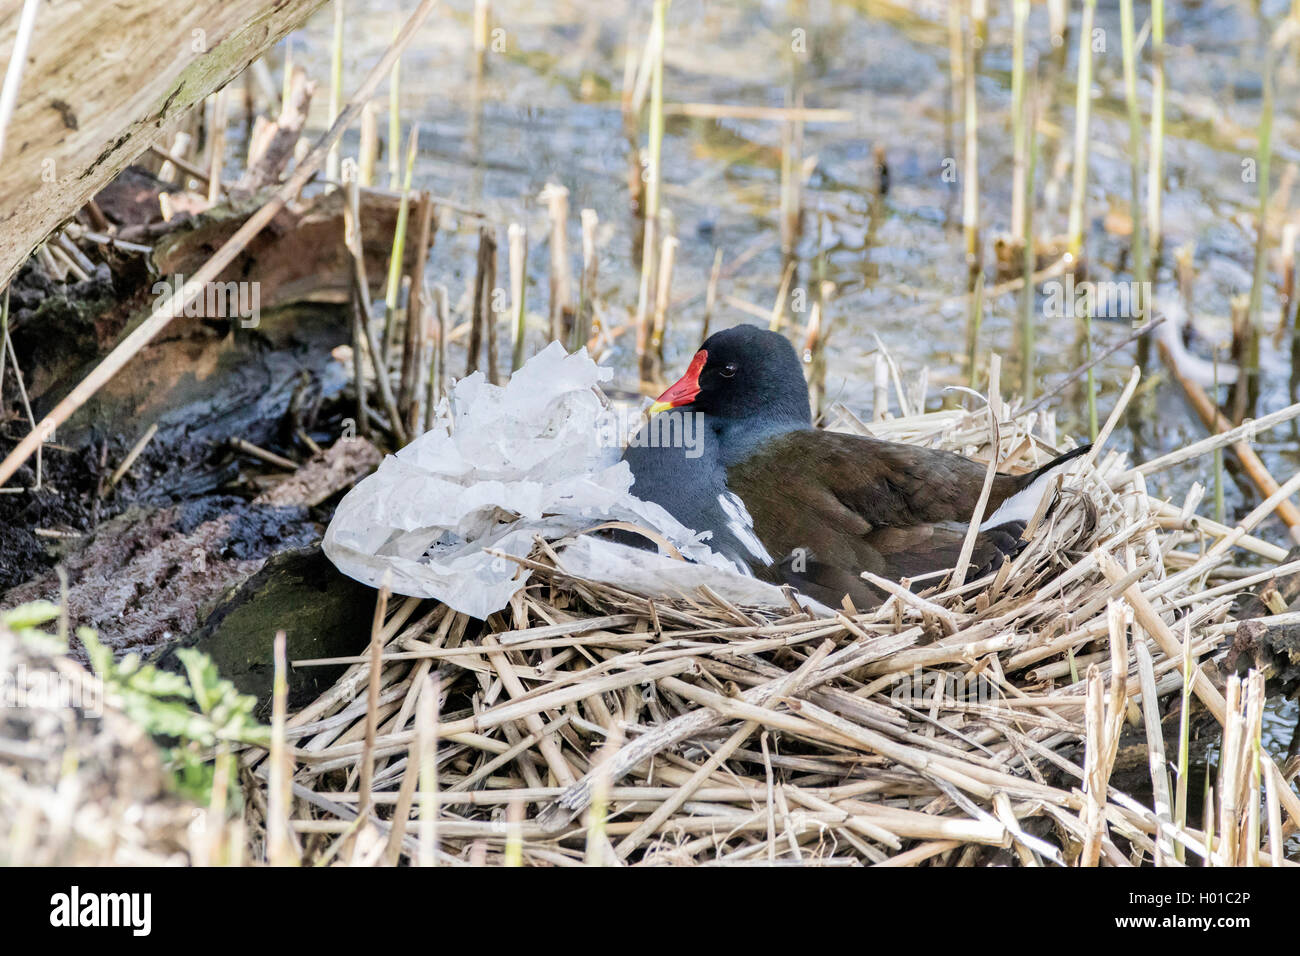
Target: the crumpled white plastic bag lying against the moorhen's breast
pixel 504 465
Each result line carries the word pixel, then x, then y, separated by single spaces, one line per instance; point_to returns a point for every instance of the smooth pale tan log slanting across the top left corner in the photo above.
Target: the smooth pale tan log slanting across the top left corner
pixel 102 84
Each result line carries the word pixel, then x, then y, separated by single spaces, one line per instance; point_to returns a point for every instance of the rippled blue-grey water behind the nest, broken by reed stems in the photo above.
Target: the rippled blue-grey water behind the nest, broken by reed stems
pixel 547 109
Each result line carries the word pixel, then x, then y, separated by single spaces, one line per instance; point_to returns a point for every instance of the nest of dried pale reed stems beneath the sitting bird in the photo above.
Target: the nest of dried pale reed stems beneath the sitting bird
pixel 964 724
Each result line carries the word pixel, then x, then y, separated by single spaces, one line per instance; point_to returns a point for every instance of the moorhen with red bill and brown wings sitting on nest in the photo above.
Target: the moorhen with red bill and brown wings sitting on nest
pixel 730 449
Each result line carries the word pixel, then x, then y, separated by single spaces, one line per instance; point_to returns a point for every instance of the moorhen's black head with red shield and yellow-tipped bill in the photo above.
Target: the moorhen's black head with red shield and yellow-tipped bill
pixel 744 373
